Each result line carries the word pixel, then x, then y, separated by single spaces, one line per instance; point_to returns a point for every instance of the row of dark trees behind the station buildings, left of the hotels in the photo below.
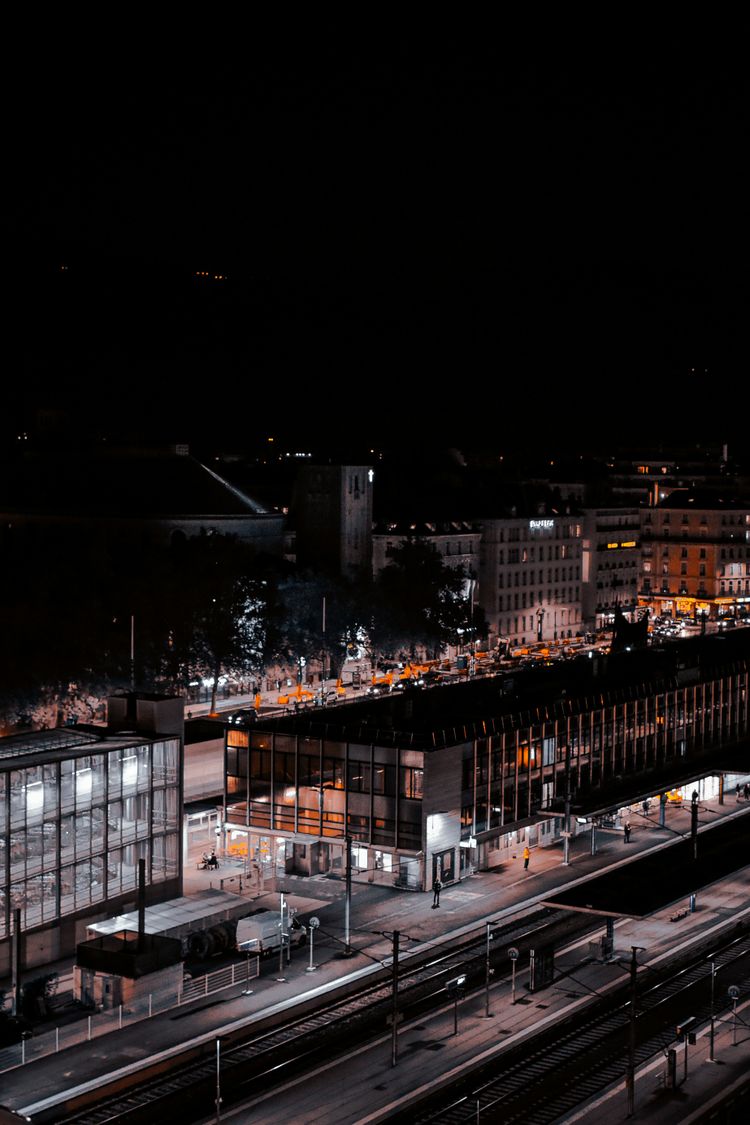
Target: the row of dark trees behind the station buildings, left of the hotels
pixel 205 608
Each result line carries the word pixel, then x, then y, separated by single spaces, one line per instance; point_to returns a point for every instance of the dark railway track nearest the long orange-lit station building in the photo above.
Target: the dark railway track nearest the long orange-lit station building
pixel 265 1056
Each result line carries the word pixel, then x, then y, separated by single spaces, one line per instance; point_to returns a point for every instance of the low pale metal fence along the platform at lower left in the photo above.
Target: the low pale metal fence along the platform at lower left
pixel 114 1020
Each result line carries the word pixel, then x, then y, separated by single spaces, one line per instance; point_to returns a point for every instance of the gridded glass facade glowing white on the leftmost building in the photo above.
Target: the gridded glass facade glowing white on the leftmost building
pixel 74 827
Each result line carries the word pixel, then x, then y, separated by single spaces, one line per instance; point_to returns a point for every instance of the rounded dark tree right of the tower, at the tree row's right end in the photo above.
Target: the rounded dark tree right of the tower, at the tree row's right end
pixel 420 604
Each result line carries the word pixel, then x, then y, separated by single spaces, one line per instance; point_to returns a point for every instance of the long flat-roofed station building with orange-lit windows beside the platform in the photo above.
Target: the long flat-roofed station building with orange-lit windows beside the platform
pixel 451 780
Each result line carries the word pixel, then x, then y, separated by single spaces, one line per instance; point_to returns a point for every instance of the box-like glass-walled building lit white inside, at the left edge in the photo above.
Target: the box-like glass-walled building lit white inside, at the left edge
pixel 79 807
